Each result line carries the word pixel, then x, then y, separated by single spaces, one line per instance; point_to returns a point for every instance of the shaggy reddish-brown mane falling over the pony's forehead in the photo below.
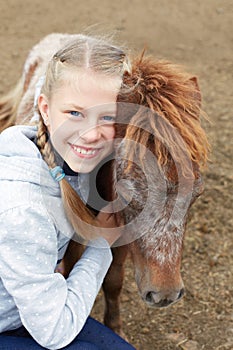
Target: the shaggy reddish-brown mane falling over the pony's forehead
pixel 172 115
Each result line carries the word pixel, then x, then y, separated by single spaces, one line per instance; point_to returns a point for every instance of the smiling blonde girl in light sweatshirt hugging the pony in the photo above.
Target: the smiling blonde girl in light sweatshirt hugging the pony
pixel 46 165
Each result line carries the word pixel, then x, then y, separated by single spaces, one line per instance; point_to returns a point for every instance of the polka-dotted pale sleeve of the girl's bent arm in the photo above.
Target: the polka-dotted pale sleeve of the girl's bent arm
pixel 53 309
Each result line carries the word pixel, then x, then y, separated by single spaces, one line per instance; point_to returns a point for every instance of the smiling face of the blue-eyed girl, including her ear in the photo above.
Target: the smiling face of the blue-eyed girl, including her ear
pixel 80 118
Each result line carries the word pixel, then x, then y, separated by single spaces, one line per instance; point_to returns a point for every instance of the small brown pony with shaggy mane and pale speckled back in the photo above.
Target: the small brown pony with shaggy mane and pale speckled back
pixel 153 179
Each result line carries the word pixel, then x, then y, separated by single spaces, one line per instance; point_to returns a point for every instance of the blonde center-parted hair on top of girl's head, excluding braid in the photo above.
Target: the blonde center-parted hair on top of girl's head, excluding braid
pixel 89 53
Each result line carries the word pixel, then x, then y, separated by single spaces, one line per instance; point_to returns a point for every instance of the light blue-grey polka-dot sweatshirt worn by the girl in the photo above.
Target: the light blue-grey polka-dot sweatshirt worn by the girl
pixel 34 234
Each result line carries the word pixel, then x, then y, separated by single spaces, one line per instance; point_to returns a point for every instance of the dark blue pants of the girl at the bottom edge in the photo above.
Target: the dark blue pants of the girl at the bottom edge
pixel 94 336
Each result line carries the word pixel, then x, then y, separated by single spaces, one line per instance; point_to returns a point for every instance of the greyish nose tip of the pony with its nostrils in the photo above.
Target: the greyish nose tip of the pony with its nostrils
pixel 162 299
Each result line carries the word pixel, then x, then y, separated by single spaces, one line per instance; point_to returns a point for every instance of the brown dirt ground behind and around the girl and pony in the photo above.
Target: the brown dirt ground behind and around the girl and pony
pixel 199 35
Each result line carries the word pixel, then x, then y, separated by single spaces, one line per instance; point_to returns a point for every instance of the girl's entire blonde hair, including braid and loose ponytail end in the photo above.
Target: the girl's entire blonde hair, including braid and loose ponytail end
pixel 99 56
